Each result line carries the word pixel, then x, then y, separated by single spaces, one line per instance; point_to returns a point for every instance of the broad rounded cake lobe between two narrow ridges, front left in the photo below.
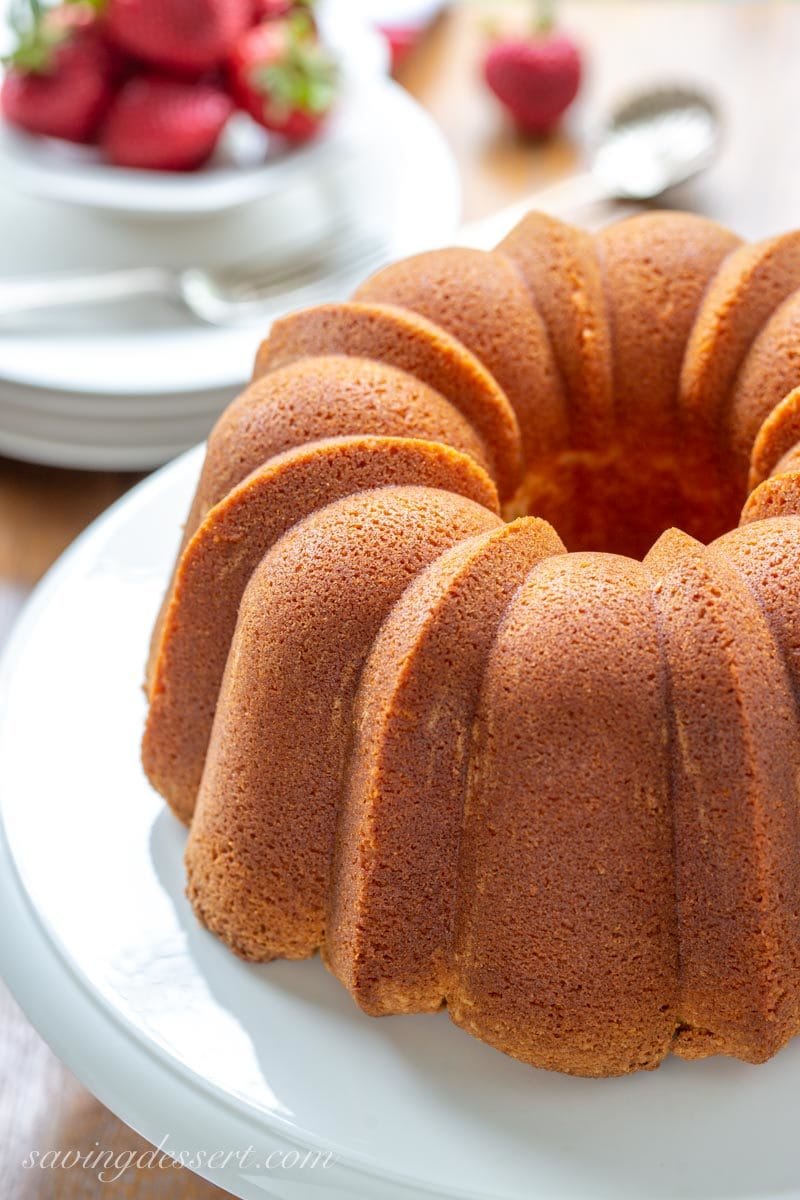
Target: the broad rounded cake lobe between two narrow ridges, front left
pixel 262 841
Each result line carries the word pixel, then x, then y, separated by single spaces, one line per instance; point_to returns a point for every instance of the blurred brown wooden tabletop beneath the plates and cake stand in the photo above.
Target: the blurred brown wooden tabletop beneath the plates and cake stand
pixel 747 56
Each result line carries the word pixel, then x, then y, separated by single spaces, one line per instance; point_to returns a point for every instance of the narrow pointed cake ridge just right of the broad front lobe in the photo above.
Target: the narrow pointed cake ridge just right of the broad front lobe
pixel 735 731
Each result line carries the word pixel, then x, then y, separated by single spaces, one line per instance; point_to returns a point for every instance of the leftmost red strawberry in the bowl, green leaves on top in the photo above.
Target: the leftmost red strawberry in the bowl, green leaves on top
pixel 62 76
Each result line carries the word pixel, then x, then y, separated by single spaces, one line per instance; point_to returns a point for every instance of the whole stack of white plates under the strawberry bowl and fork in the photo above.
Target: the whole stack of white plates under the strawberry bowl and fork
pixel 130 386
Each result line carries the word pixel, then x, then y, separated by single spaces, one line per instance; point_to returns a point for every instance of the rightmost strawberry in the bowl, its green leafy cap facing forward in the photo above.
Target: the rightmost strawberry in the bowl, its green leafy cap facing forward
pixel 282 76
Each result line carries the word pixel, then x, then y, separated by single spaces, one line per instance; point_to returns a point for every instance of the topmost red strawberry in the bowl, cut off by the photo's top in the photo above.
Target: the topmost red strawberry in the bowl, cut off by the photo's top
pixel 185 37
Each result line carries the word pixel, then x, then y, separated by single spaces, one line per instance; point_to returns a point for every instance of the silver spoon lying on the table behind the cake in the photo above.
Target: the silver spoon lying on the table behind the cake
pixel 652 143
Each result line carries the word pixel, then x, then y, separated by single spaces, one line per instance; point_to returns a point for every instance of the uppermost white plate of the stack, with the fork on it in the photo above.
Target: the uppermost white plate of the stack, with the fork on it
pixel 401 182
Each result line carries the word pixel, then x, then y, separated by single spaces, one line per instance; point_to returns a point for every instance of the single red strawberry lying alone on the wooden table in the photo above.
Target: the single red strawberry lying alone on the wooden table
pixel 537 77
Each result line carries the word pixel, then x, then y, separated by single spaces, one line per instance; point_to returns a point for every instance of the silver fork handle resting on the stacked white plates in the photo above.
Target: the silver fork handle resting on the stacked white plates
pixel 29 295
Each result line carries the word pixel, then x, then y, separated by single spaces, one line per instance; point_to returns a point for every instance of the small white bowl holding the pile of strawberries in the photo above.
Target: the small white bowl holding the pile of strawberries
pixel 246 166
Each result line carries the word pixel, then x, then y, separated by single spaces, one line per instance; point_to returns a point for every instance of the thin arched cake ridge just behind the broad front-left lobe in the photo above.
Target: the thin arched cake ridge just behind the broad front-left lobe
pixel 221 559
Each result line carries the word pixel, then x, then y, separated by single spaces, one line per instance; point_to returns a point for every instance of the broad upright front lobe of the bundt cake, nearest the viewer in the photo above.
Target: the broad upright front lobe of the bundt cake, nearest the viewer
pixel 566 944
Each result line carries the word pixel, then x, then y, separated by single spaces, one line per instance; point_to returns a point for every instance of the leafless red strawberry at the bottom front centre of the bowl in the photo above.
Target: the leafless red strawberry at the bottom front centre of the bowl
pixel 165 124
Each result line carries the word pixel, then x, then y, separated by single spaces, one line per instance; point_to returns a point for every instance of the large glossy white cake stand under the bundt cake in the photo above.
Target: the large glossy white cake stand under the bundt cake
pixel 183 1040
